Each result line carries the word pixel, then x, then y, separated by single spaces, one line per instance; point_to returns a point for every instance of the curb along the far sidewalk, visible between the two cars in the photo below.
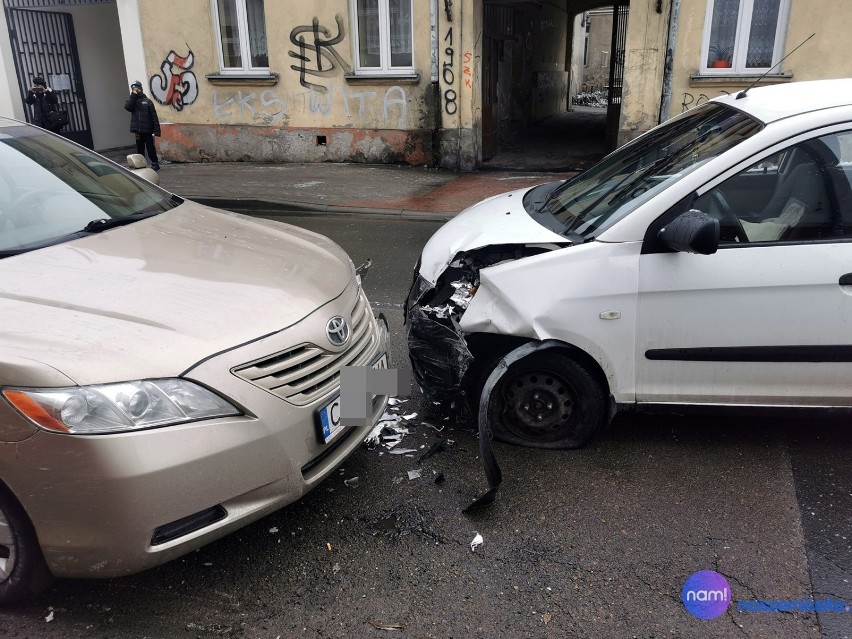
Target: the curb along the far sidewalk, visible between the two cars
pixel 249 206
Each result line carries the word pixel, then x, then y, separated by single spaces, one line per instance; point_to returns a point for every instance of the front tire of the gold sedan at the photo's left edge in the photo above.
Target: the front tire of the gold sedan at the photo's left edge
pixel 23 572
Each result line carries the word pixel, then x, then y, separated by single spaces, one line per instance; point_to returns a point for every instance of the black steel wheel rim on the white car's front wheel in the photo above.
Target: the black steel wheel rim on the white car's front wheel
pixel 539 405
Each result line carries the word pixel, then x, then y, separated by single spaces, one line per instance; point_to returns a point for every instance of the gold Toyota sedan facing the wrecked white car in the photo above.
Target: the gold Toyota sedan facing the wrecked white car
pixel 169 372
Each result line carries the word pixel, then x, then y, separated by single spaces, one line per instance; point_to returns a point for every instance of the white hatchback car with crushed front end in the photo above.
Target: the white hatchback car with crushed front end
pixel 708 262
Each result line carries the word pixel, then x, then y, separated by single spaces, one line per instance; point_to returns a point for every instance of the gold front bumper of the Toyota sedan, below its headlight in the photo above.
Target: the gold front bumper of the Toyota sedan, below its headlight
pixel 101 504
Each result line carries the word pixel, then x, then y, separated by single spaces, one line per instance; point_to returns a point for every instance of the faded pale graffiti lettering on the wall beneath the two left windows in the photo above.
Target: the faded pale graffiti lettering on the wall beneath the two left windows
pixel 269 105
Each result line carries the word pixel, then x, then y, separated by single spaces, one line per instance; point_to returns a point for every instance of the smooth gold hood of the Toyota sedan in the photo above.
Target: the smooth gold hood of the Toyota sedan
pixel 152 298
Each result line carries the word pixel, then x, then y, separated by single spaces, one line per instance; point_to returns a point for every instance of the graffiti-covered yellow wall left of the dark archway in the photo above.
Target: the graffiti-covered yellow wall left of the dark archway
pixel 326 117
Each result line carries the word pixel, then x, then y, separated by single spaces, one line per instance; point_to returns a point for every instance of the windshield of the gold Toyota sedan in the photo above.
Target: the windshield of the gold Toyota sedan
pixel 52 191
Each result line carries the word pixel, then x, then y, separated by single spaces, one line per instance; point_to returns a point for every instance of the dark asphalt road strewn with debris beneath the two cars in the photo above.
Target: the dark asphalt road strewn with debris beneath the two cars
pixel 589 543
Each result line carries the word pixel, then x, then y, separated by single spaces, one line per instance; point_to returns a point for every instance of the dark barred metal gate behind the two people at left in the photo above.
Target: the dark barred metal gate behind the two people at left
pixel 43 43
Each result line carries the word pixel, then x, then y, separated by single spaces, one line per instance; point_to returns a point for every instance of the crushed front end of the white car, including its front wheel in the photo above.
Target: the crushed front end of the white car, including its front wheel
pixel 461 324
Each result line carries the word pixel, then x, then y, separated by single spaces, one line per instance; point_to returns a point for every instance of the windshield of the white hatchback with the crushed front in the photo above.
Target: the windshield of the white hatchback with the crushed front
pixel 596 199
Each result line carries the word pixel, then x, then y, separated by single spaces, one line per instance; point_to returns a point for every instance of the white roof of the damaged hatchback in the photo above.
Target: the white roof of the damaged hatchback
pixel 779 101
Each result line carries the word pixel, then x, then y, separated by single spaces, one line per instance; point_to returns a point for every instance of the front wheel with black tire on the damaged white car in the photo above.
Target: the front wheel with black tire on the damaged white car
pixel 546 400
